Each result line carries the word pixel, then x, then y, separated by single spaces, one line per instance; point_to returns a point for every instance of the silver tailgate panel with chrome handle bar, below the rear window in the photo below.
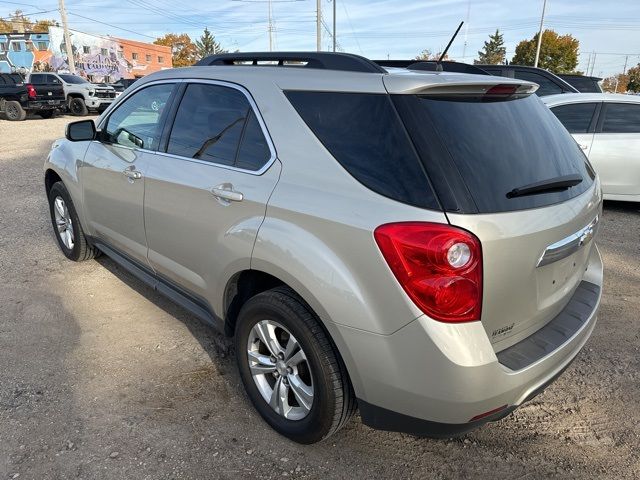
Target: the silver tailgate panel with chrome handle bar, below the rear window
pixel 521 290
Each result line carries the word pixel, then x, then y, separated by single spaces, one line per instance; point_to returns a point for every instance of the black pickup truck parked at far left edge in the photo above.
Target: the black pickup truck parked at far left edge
pixel 18 98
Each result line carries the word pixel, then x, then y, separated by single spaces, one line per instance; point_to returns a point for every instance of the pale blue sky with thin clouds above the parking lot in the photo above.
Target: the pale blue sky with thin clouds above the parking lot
pixel 607 30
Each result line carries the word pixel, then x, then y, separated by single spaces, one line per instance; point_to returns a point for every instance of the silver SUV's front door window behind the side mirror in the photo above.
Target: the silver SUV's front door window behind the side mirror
pixel 136 123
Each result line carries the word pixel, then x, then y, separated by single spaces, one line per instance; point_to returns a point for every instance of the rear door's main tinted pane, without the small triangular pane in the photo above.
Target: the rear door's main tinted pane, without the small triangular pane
pixel 209 123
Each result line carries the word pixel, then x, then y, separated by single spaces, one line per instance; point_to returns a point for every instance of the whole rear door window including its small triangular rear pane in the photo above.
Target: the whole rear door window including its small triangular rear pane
pixel 216 124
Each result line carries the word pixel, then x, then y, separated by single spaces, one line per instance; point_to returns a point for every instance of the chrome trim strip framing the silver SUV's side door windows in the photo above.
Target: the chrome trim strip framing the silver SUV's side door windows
pixel 244 91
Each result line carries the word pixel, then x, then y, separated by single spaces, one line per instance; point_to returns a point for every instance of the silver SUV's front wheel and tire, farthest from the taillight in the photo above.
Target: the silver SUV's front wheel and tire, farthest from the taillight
pixel 66 226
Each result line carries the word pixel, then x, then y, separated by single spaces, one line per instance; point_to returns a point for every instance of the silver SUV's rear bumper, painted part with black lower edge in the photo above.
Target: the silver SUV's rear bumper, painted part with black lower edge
pixel 436 379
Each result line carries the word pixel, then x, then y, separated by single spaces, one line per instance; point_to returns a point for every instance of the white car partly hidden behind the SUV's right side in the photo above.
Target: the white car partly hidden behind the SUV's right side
pixel 607 128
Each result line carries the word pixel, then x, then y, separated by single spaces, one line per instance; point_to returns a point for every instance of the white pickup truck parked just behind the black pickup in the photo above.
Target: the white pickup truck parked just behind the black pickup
pixel 81 95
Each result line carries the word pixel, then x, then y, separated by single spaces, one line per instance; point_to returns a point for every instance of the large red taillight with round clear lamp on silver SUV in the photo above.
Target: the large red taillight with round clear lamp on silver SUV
pixel 439 266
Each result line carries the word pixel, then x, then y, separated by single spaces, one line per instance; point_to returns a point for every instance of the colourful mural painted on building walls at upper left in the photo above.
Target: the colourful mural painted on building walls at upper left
pixel 94 56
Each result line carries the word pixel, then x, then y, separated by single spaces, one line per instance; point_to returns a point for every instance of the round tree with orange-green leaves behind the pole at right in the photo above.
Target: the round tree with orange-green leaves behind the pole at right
pixel 558 53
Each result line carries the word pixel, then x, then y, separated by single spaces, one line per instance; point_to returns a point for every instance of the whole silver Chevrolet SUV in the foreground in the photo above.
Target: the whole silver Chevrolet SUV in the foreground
pixel 417 245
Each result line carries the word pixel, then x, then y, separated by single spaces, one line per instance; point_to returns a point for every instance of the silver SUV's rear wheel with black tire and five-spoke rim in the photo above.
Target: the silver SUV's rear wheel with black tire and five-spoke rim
pixel 290 369
